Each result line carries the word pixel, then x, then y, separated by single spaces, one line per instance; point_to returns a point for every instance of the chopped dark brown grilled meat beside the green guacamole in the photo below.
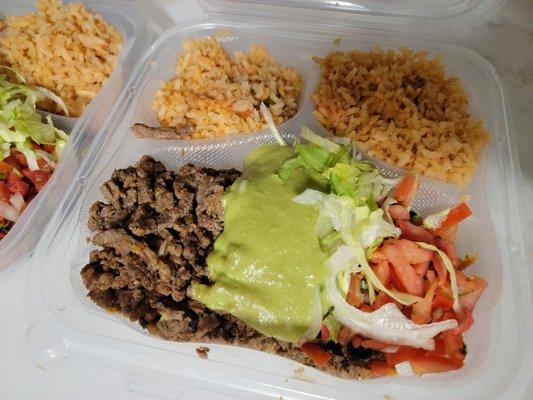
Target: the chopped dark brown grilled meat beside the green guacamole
pixel 155 233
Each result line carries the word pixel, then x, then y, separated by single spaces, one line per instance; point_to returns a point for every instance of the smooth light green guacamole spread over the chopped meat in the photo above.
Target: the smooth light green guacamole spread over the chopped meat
pixel 268 263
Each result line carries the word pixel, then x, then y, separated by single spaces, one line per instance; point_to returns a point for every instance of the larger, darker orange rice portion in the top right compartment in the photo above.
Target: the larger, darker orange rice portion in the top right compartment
pixel 401 108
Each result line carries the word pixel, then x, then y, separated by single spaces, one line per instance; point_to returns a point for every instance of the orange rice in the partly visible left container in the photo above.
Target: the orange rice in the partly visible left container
pixel 64 48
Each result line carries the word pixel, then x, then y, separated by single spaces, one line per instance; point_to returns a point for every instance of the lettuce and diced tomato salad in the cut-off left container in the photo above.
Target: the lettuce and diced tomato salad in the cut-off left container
pixel 29 146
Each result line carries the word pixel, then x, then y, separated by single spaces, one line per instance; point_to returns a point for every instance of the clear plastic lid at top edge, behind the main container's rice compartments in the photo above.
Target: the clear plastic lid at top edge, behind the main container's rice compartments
pixel 447 17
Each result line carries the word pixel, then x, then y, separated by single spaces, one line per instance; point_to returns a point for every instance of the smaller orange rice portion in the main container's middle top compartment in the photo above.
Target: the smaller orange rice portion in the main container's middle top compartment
pixel 215 93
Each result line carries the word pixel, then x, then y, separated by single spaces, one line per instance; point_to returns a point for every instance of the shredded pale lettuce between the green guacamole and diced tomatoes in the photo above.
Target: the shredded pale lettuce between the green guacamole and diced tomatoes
pixel 350 226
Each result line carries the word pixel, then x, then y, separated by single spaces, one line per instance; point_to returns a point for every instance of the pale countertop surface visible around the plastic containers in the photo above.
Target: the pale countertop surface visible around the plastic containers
pixel 506 41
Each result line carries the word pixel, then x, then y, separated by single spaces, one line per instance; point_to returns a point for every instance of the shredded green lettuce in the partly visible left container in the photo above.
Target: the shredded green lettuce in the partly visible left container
pixel 21 125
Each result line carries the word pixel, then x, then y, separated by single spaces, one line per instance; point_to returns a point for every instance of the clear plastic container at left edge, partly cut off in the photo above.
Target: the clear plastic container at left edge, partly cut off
pixel 23 236
